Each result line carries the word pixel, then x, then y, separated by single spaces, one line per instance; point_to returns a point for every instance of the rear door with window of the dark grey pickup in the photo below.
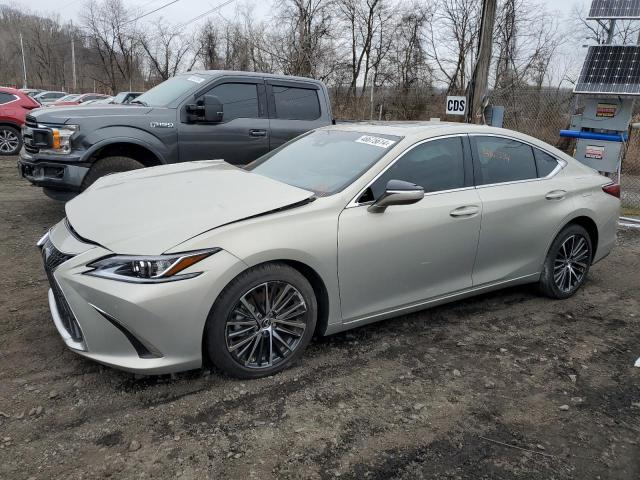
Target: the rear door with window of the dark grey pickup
pixel 294 108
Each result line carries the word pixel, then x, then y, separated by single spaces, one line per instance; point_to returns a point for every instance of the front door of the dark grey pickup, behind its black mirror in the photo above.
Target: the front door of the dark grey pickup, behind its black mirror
pixel 243 134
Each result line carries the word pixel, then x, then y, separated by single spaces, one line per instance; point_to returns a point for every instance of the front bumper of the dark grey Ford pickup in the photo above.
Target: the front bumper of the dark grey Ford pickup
pixel 53 173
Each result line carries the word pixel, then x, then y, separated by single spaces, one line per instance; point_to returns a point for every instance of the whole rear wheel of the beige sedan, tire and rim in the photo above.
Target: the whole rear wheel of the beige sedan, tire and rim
pixel 567 264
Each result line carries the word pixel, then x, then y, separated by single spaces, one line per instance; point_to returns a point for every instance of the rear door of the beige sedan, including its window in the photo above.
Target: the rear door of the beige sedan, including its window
pixel 524 201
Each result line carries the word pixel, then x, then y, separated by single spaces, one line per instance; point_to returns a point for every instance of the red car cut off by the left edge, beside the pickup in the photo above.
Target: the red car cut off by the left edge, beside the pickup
pixel 14 106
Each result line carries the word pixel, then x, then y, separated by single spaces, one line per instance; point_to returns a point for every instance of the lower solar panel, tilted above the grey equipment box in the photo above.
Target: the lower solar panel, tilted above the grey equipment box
pixel 610 69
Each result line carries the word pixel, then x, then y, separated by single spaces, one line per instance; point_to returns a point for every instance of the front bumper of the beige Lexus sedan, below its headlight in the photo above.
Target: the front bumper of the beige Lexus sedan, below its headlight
pixel 141 328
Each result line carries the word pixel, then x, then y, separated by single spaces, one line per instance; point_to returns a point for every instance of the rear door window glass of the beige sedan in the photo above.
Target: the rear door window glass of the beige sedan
pixel 503 160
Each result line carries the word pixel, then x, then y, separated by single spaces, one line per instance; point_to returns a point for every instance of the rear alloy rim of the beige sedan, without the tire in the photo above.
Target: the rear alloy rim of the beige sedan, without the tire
pixel 571 263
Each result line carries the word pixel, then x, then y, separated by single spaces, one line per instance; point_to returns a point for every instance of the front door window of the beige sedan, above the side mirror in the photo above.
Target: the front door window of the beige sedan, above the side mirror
pixel 435 166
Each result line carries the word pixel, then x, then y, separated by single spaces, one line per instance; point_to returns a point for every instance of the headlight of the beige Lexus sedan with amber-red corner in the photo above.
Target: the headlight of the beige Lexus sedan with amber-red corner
pixel 148 269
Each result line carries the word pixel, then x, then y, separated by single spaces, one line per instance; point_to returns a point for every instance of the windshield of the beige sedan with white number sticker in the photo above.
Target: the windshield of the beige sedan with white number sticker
pixel 324 161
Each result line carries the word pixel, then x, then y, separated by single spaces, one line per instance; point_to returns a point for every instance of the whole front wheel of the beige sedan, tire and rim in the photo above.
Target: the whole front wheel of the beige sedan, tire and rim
pixel 261 322
